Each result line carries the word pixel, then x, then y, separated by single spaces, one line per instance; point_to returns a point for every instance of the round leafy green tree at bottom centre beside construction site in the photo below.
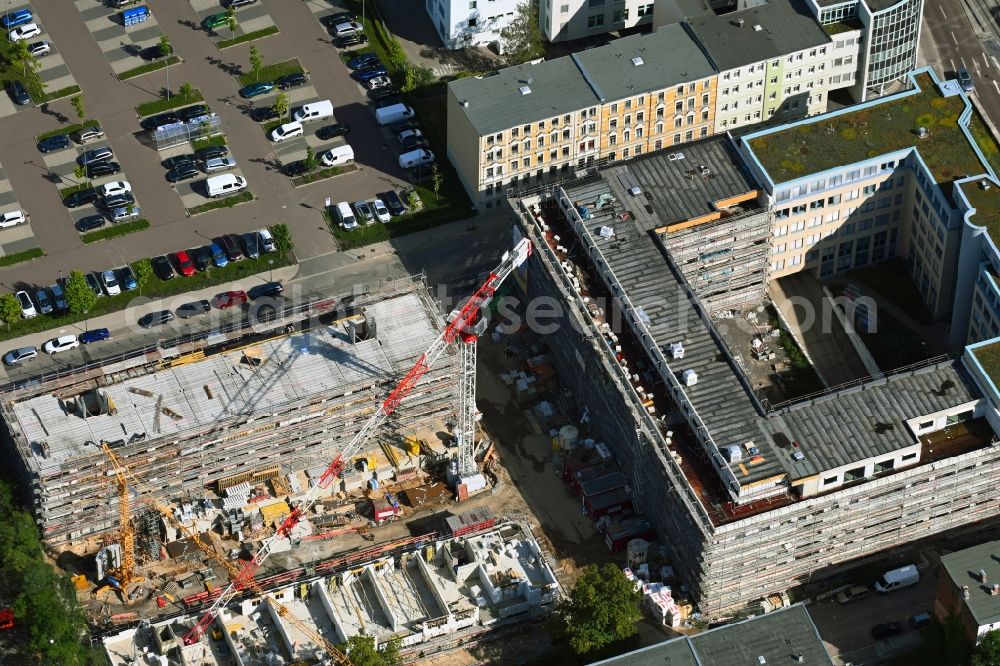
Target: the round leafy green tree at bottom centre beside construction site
pixel 602 609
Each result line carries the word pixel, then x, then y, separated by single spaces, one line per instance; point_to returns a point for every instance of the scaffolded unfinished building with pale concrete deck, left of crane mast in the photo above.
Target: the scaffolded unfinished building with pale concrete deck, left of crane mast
pixel 199 421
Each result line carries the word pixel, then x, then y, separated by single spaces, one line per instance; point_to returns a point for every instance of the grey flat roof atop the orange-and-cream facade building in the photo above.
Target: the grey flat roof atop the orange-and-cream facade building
pixel 581 80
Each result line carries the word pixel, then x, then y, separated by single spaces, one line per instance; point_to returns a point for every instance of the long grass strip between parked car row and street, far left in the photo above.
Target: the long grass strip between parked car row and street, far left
pixel 155 289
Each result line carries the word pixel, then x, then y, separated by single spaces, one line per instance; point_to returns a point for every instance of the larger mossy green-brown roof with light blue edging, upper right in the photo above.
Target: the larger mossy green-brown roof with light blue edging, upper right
pixel 839 139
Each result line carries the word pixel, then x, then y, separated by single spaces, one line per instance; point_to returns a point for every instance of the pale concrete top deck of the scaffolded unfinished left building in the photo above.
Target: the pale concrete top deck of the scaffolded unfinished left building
pixel 200 393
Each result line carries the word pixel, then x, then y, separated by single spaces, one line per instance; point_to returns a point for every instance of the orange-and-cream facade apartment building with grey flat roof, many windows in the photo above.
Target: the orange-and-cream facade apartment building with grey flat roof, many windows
pixel 527 125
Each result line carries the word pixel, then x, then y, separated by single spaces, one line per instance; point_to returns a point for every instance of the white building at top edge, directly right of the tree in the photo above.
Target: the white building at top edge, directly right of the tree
pixel 563 20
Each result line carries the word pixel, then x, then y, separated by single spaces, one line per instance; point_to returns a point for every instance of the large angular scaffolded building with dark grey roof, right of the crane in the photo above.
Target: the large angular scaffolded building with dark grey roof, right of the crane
pixel 749 499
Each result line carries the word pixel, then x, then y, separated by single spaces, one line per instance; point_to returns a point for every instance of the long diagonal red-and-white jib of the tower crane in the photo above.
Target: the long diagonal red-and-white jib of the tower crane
pixel 464 321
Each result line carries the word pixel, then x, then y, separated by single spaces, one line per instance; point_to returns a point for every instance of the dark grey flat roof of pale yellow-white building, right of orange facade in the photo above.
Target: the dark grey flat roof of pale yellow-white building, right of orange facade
pixel 785 26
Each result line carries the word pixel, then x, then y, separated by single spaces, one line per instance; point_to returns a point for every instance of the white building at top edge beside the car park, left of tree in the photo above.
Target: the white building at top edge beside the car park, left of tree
pixel 462 23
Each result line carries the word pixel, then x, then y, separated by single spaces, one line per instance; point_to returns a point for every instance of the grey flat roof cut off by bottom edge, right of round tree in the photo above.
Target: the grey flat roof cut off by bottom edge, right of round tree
pixel 779 637
